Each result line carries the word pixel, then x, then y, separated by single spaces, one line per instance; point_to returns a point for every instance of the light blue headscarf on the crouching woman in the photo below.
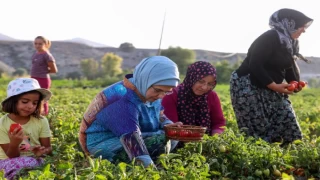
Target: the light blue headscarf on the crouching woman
pixel 155 70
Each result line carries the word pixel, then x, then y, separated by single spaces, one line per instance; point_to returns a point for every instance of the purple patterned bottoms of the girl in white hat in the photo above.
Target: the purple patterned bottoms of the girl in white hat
pixel 13 165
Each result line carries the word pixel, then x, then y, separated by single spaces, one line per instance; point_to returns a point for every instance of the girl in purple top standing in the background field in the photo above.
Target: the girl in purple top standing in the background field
pixel 43 63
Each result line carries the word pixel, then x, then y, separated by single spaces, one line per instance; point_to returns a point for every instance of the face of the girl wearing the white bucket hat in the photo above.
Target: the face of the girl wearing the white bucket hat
pixel 27 104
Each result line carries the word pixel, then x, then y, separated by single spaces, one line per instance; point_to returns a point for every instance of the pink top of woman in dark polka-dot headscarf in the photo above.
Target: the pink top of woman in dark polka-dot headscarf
pixel 169 102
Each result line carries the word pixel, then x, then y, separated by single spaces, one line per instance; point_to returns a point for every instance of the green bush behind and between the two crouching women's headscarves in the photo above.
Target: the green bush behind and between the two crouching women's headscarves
pixel 182 57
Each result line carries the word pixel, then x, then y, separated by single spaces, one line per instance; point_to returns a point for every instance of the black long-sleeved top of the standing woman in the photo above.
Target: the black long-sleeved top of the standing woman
pixel 267 61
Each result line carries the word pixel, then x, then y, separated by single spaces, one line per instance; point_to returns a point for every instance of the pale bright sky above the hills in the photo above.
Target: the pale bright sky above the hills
pixel 217 25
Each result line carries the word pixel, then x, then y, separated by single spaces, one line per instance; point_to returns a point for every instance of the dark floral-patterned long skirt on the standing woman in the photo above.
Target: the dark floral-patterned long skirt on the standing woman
pixel 262 112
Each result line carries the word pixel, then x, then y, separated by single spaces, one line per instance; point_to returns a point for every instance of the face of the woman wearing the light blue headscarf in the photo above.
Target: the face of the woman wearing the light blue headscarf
pixel 156 92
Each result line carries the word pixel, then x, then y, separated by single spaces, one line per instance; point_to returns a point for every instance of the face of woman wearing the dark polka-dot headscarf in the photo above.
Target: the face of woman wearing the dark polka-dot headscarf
pixel 204 85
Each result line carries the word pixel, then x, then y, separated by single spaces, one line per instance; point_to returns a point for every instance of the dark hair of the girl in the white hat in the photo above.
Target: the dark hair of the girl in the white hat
pixel 10 105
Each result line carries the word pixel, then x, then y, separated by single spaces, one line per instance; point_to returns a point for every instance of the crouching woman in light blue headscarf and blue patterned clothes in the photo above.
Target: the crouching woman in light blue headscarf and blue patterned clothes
pixel 123 121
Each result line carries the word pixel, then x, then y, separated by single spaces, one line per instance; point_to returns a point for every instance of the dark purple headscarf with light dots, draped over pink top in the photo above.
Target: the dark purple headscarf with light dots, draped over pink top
pixel 193 109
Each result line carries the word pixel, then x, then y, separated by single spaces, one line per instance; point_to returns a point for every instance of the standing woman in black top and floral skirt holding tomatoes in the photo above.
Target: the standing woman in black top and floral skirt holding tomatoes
pixel 259 96
